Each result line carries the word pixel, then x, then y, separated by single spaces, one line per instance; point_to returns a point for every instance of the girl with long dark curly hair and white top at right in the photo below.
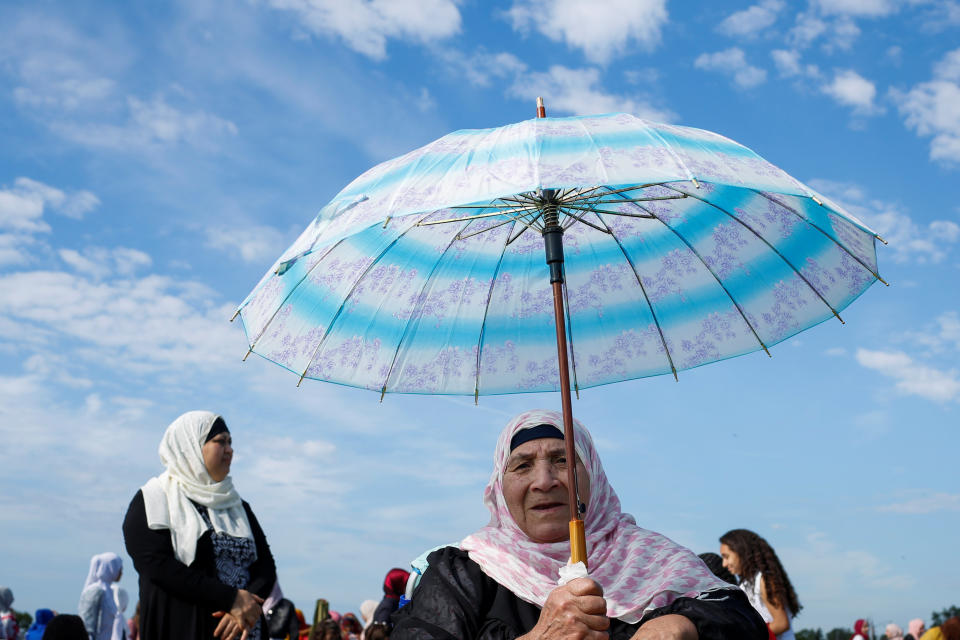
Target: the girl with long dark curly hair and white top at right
pixel 762 578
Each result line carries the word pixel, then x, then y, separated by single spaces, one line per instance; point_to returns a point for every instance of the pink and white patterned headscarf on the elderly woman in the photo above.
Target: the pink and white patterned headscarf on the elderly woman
pixel 639 570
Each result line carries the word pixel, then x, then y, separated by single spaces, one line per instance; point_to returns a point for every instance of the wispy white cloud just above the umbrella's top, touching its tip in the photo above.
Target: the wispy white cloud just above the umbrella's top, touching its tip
pixel 579 92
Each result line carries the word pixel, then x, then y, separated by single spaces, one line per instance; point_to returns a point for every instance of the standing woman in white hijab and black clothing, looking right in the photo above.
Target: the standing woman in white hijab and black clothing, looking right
pixel 204 563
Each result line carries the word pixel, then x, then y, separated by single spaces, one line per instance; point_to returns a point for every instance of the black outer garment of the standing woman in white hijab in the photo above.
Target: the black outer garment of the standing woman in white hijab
pixel 176 600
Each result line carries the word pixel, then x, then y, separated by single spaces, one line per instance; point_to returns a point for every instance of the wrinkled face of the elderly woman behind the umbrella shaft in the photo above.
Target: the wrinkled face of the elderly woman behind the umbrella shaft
pixel 535 489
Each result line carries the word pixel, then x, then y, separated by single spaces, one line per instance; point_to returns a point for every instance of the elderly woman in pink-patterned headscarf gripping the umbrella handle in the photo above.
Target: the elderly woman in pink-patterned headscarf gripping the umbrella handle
pixel 501 582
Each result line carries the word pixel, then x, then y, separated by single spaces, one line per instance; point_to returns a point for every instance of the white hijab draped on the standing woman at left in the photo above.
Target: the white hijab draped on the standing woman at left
pixel 167 497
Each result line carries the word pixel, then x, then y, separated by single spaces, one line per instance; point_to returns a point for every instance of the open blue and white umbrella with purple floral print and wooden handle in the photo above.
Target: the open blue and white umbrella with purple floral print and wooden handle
pixel 668 248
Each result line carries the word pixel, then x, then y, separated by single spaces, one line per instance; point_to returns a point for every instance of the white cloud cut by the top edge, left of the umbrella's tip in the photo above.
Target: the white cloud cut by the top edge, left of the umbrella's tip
pixel 366 25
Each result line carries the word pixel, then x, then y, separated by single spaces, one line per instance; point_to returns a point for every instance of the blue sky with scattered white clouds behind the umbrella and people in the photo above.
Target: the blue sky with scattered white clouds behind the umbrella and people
pixel 155 160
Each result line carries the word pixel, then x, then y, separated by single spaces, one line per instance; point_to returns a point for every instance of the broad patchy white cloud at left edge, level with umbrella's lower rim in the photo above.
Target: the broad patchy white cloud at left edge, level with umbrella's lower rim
pixel 146 324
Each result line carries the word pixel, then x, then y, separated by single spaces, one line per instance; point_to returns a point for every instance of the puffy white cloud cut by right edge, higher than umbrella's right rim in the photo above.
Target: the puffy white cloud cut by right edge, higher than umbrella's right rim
pixel 933 109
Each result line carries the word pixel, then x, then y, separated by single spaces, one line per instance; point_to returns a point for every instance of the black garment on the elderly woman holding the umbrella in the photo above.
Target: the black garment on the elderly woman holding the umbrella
pixel 455 600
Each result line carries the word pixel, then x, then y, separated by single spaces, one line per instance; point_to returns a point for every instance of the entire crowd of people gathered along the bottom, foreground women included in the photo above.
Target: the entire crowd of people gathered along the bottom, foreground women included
pixel 206 571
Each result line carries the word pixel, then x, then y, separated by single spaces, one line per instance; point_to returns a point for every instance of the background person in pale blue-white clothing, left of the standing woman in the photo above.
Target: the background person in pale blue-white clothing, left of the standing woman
pixel 97 607
